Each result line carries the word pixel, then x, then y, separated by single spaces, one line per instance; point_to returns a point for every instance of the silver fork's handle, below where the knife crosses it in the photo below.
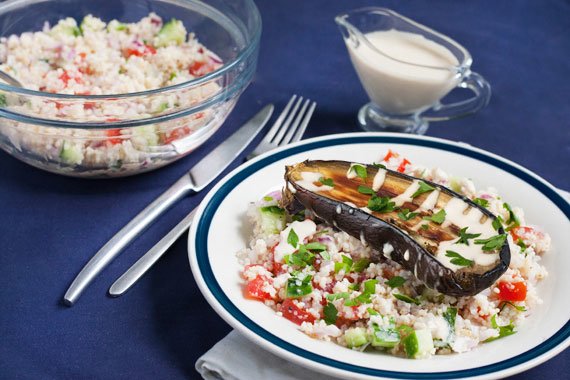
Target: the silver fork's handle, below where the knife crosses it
pixel 138 269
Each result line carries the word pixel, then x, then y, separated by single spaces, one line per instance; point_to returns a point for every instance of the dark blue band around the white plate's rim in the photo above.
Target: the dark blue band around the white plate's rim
pixel 205 269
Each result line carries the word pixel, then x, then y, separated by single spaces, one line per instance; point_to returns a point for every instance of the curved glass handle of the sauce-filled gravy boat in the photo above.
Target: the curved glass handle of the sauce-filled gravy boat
pixel 471 81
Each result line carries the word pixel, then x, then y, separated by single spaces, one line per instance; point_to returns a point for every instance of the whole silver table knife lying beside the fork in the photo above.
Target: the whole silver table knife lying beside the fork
pixel 195 180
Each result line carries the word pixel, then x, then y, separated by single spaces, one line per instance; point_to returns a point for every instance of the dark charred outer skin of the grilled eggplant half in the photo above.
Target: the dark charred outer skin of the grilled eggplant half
pixel 377 233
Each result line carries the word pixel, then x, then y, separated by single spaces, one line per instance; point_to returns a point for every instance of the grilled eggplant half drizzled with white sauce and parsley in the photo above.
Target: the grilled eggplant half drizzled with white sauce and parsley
pixel 447 241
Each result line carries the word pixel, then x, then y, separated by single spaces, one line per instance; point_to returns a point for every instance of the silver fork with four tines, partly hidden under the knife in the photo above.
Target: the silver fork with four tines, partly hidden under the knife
pixel 289 127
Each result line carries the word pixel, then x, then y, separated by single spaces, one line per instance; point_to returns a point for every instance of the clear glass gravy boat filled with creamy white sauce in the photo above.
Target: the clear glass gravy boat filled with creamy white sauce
pixel 406 69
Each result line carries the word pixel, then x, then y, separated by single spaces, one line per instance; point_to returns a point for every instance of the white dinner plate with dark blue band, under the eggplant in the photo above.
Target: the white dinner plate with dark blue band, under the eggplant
pixel 220 230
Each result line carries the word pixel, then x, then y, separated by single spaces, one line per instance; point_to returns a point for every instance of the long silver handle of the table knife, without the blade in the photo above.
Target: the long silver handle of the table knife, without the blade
pixel 128 233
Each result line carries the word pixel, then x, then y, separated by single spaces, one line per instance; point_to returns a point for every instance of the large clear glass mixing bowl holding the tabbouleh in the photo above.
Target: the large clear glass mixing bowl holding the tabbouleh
pixel 125 134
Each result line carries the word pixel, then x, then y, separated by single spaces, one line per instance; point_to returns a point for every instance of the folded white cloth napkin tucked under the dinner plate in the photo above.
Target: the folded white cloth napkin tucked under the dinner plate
pixel 236 358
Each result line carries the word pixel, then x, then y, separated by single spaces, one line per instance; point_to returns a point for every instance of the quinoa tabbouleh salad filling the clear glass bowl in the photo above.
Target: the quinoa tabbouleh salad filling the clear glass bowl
pixel 91 59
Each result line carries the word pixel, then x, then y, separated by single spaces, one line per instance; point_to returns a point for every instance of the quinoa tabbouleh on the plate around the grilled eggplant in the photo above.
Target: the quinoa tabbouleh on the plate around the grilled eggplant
pixel 337 288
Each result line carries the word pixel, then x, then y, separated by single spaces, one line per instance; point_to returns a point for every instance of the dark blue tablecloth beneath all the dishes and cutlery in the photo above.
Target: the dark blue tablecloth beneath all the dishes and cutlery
pixel 51 225
